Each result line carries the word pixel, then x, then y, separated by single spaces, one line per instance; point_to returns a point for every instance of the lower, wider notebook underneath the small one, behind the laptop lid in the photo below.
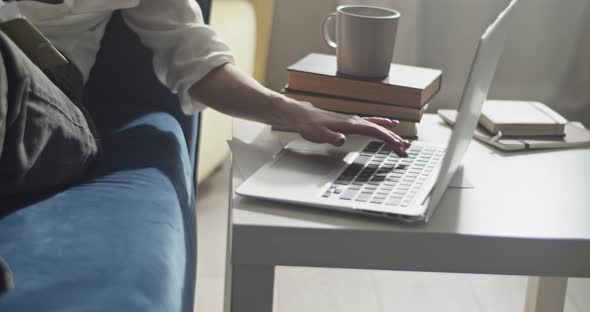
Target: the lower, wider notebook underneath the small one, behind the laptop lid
pixel 576 135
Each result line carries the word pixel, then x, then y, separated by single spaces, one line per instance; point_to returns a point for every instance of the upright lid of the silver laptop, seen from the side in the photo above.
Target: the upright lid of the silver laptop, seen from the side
pixel 475 93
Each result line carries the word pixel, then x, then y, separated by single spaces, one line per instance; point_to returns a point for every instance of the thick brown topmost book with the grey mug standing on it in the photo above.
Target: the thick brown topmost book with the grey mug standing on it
pixel 406 86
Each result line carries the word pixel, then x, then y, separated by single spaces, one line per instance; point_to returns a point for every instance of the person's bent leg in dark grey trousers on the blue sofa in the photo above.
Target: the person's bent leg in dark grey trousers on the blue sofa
pixel 45 140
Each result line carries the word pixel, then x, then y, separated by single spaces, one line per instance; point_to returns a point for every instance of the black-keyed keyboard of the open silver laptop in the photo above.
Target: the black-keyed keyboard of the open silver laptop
pixel 377 175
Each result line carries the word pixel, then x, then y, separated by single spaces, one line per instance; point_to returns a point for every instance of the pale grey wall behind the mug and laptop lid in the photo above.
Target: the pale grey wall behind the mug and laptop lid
pixel 546 56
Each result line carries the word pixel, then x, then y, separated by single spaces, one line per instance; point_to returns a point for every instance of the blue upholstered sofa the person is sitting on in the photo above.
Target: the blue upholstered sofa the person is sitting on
pixel 124 239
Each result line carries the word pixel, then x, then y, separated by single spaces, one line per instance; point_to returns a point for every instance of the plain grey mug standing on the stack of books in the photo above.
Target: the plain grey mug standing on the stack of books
pixel 365 38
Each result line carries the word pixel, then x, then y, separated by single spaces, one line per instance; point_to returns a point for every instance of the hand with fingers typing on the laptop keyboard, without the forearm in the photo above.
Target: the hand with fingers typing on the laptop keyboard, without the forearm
pixel 322 126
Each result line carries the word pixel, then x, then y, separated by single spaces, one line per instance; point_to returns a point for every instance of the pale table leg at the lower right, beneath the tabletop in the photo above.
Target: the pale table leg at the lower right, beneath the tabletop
pixel 545 294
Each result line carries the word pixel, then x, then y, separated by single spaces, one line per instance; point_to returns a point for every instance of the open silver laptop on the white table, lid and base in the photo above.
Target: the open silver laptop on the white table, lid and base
pixel 364 175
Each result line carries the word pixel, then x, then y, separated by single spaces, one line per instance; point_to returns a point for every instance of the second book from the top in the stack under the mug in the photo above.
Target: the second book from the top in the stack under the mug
pixel 358 107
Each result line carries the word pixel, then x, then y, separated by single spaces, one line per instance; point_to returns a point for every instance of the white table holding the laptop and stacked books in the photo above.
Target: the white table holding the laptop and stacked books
pixel 529 214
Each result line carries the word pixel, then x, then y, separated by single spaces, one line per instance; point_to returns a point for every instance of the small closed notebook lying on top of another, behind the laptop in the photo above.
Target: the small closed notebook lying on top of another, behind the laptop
pixel 521 118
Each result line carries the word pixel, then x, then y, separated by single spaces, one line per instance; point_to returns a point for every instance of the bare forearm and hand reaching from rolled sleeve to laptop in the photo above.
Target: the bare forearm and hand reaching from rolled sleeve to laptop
pixel 232 92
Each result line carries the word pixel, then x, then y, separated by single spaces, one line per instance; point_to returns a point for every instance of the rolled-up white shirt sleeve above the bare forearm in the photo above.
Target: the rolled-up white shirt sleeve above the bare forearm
pixel 185 48
